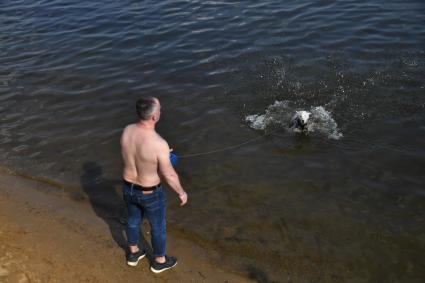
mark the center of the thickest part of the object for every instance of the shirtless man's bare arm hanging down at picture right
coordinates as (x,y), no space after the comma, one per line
(169,174)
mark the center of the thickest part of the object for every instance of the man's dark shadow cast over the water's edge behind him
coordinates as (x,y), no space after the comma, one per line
(108,204)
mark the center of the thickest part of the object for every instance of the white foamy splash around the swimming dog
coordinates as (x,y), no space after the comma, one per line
(281,112)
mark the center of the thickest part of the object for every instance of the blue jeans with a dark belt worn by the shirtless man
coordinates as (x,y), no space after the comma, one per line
(153,207)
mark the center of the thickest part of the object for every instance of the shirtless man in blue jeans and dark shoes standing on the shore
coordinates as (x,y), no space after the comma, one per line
(146,159)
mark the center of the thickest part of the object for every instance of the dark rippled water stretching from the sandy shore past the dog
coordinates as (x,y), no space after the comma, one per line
(285,207)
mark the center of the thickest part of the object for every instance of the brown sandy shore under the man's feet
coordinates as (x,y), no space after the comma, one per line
(46,236)
